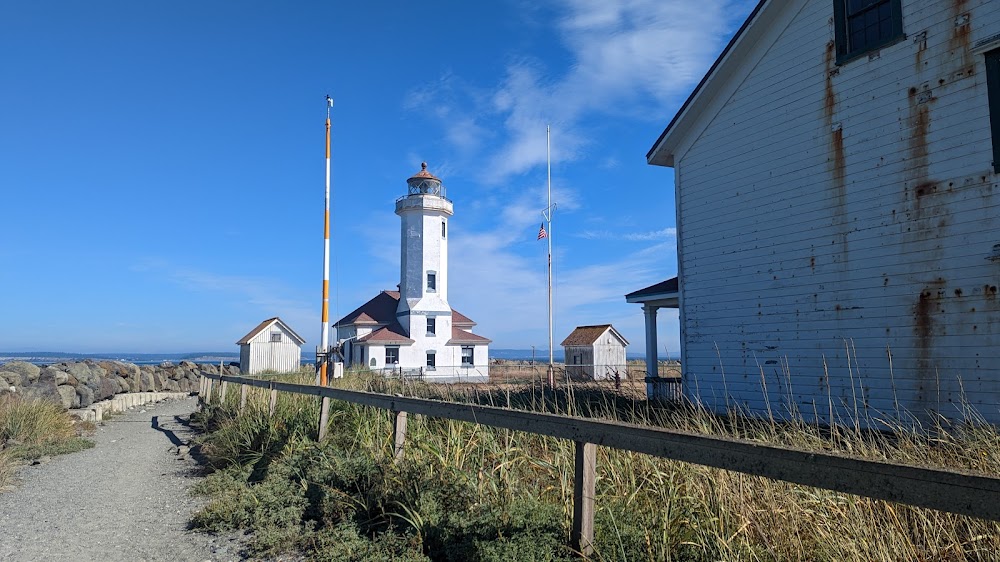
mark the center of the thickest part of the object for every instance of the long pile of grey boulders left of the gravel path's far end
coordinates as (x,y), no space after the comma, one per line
(80,384)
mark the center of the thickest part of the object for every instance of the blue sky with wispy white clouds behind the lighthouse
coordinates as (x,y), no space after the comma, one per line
(163,170)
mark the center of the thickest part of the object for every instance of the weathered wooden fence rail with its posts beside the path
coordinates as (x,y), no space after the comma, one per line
(935,488)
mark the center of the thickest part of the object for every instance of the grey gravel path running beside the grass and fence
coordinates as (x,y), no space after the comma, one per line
(124,500)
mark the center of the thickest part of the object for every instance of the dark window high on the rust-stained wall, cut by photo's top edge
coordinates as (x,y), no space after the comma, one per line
(863,26)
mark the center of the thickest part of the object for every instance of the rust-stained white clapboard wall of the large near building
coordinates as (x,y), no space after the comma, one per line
(827,214)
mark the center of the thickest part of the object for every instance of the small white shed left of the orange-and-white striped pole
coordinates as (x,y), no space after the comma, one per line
(271,346)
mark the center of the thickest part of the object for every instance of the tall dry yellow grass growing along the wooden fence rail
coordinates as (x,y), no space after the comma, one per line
(656,509)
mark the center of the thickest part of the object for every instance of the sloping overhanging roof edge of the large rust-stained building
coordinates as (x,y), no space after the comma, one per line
(762,14)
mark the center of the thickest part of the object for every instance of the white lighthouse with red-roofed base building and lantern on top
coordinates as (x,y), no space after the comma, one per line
(414,331)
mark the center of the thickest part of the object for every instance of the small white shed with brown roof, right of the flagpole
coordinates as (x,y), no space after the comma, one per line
(597,352)
